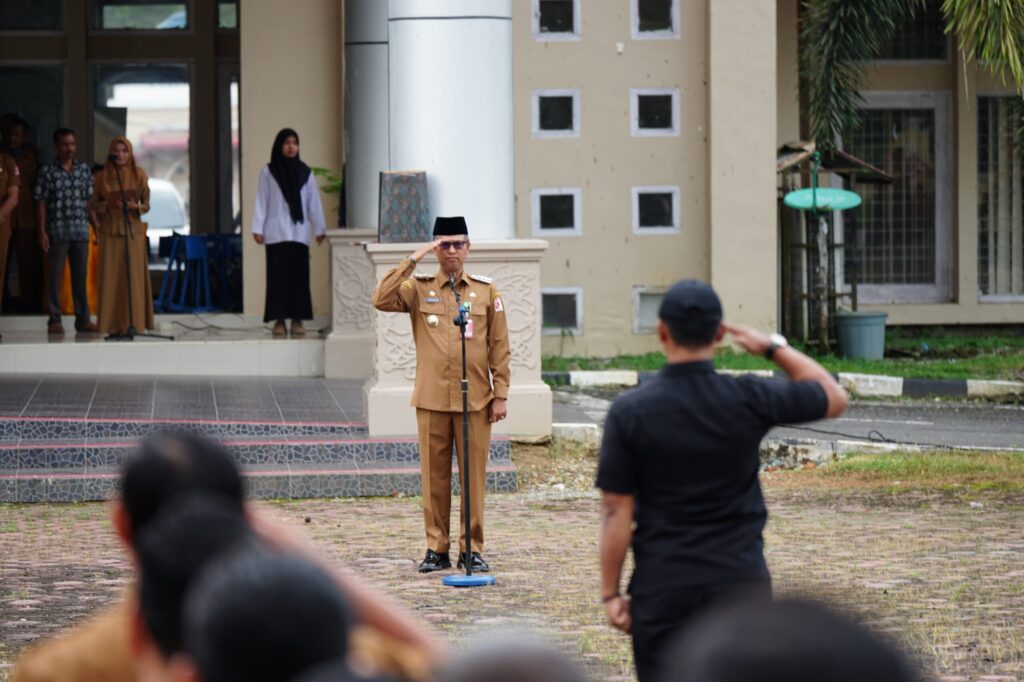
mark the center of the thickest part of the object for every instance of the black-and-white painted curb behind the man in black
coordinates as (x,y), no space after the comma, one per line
(863,386)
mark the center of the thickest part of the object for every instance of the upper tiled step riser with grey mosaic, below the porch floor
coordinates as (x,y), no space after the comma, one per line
(53,430)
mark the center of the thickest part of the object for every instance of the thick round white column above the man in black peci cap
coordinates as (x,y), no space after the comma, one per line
(450,108)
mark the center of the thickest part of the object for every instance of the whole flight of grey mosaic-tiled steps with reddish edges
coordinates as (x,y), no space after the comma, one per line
(45,459)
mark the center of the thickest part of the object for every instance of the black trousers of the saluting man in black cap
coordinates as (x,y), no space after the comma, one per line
(658,619)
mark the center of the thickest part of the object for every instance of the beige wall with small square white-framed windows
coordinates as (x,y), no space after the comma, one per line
(609,261)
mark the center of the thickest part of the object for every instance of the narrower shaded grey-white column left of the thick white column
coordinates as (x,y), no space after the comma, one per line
(366,109)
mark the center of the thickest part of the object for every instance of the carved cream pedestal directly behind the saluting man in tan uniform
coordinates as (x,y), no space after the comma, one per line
(516,269)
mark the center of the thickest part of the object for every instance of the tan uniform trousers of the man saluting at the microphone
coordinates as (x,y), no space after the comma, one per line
(439,431)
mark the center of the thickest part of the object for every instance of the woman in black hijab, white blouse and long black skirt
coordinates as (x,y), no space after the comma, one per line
(288,212)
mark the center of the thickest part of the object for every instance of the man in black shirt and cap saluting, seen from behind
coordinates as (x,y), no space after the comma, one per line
(680,458)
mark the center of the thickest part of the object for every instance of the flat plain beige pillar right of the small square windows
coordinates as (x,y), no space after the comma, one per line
(743,204)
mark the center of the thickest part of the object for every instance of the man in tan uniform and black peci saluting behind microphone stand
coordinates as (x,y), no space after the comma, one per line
(438,398)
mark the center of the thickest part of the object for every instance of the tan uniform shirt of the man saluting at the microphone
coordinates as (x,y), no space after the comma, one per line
(430,302)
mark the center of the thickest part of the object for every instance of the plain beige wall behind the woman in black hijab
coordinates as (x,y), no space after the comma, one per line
(298,87)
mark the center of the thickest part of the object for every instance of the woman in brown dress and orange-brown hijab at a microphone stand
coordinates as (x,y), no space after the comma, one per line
(114,241)
